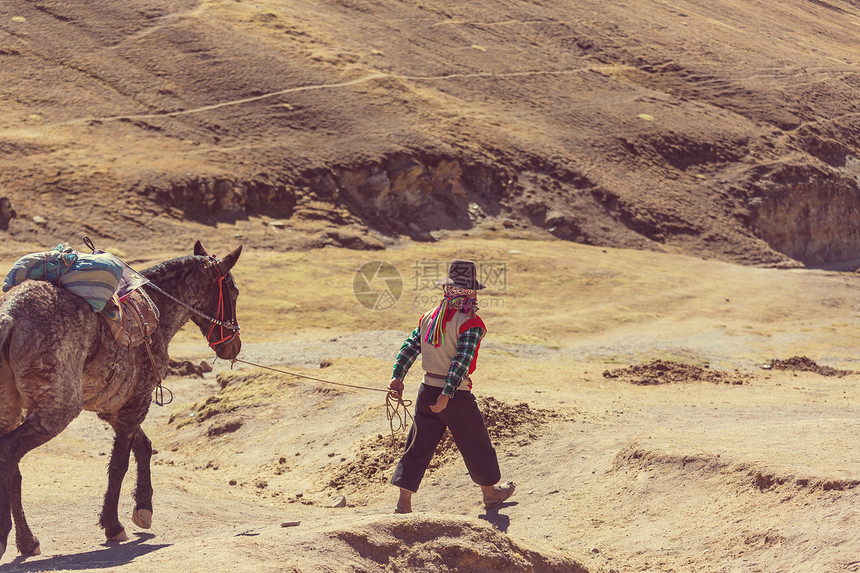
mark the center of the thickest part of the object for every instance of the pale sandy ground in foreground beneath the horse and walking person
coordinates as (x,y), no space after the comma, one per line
(612,475)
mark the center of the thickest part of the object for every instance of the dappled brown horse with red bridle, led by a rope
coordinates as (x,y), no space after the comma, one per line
(58,357)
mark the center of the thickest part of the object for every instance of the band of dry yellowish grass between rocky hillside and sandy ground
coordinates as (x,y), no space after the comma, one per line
(558,294)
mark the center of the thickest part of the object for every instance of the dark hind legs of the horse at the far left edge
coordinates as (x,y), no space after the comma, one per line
(33,432)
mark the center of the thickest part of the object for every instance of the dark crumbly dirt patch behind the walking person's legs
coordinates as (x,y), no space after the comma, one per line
(376,458)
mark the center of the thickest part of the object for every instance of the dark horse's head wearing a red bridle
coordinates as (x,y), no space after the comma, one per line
(223,335)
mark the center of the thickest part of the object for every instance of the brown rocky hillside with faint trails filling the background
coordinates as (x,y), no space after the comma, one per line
(725,129)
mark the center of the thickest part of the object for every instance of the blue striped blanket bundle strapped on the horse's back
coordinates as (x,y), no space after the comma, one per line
(94,278)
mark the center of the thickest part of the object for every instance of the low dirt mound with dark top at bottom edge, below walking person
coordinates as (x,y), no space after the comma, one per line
(441,543)
